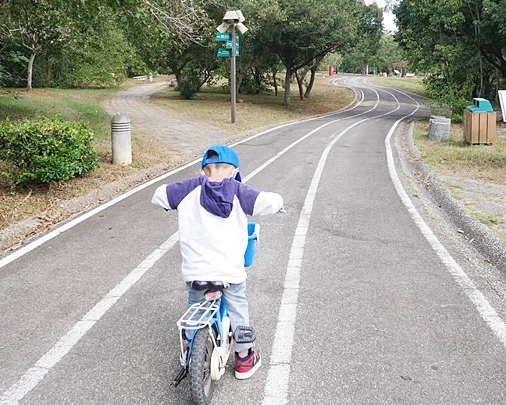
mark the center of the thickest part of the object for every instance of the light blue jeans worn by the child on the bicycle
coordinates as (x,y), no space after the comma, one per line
(237,307)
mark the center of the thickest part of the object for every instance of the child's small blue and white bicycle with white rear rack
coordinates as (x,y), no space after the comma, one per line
(206,347)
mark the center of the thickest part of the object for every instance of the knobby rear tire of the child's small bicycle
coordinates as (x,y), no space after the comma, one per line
(201,384)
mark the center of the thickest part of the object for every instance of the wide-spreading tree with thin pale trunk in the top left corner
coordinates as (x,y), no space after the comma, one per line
(71,35)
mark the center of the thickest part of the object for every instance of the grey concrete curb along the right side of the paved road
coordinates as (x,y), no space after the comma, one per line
(491,247)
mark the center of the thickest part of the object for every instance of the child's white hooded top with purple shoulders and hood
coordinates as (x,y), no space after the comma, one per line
(213,224)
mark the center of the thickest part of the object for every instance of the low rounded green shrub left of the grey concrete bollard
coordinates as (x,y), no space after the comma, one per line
(47,150)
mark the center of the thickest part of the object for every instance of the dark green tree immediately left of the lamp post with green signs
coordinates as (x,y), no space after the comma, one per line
(176,38)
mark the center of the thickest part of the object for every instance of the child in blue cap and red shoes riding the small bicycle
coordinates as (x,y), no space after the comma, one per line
(212,216)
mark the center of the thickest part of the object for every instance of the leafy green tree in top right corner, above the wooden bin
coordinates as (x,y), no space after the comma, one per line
(458,37)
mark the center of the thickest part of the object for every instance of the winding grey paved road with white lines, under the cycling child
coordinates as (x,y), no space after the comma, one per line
(361,294)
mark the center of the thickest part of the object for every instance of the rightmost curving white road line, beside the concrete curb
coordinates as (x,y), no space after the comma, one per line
(486,311)
